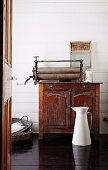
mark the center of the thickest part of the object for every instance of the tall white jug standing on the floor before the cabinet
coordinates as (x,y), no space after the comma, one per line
(81,134)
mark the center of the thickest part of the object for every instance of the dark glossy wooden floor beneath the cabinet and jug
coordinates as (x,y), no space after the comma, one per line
(56,152)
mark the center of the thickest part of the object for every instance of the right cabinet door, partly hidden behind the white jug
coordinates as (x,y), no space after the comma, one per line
(87,99)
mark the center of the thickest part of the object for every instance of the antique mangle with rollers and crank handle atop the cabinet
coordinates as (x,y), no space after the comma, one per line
(57,73)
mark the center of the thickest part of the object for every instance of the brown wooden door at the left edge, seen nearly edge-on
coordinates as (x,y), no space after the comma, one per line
(5,76)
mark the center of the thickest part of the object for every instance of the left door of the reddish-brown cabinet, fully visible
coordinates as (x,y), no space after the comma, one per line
(56,109)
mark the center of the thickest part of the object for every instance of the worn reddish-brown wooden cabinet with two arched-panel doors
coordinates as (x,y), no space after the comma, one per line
(56,100)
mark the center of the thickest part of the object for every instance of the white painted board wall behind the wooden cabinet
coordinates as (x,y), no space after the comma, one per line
(45,28)
